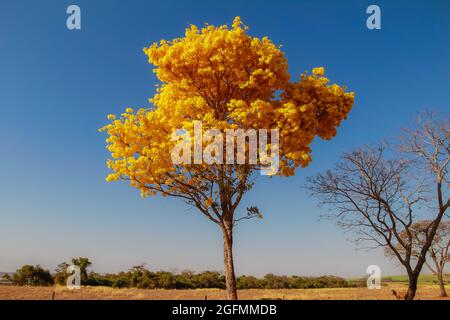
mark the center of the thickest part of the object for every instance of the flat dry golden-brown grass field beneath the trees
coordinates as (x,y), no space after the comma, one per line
(425,292)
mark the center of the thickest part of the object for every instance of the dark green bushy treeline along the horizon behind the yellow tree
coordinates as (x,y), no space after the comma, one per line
(140,277)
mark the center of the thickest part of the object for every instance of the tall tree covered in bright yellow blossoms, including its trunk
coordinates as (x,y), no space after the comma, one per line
(226,79)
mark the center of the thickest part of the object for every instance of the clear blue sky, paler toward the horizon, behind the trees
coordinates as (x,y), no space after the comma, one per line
(57,86)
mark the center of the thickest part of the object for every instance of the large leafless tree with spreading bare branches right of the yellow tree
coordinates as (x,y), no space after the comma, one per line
(378,193)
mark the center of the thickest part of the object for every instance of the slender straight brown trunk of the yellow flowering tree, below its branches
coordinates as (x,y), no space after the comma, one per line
(230,277)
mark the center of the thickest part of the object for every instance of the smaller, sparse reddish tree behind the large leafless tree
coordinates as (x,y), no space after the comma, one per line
(438,253)
